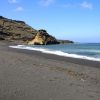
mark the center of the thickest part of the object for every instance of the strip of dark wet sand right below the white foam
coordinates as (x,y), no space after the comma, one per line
(80,61)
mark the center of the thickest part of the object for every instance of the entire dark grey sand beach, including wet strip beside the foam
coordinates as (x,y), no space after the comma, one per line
(31,75)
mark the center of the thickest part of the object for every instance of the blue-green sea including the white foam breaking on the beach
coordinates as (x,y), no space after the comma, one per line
(89,51)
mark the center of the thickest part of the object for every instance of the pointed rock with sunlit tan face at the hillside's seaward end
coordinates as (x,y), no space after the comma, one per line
(43,38)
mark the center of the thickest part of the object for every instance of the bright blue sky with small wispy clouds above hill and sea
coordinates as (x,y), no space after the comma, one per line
(76,20)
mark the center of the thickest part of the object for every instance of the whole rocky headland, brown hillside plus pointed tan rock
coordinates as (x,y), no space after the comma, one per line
(19,31)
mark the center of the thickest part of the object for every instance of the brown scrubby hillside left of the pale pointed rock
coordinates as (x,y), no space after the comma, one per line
(15,30)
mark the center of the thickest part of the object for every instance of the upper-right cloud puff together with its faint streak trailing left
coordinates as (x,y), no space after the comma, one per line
(84,4)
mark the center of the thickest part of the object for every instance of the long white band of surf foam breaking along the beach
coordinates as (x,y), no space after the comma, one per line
(59,53)
